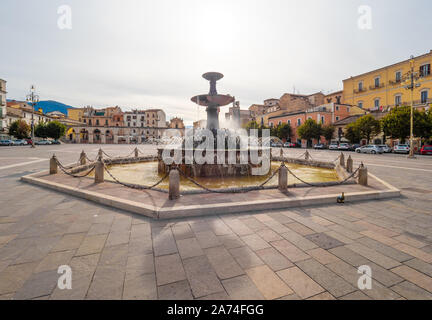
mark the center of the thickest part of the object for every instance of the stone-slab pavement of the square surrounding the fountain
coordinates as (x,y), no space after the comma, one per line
(307,253)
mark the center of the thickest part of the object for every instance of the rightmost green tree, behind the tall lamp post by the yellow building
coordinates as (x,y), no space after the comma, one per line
(397,123)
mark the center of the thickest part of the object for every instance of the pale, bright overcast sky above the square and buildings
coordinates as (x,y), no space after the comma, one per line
(152,53)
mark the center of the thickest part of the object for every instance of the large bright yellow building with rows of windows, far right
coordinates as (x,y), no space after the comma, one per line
(384,88)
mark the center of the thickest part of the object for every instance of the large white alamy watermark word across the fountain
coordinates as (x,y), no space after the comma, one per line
(222,147)
